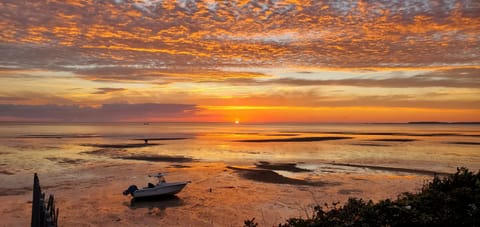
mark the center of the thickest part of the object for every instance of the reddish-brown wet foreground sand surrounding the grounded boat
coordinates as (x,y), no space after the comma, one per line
(217,196)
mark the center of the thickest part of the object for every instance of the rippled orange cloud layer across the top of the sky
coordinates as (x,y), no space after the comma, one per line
(302,33)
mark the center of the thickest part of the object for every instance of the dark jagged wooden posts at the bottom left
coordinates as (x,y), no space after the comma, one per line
(43,215)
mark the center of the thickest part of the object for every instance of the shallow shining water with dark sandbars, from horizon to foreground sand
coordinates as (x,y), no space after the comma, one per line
(324,148)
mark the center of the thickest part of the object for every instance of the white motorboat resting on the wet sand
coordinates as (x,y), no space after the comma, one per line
(162,188)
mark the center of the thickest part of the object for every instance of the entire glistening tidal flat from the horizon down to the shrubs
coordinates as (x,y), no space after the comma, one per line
(269,173)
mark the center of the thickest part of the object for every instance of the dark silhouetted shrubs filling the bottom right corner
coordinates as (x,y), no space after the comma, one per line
(453,200)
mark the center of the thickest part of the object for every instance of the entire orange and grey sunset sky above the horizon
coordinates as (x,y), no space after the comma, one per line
(252,61)
